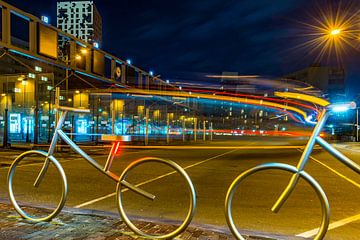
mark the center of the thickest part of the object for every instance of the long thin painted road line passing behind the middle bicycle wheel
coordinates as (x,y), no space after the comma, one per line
(149,181)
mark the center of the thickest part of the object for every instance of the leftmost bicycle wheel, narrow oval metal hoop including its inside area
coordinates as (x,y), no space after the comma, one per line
(49,193)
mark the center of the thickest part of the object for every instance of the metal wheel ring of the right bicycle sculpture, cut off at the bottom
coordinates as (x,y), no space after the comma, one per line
(282,167)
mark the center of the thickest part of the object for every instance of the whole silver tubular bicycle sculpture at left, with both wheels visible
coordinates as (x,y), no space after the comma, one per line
(121,181)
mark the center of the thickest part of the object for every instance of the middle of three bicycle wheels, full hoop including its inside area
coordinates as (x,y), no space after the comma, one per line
(163,190)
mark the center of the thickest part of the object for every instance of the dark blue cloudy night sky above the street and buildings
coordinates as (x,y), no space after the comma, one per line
(185,40)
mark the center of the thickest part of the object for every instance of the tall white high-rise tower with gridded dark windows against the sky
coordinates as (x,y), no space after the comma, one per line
(81,19)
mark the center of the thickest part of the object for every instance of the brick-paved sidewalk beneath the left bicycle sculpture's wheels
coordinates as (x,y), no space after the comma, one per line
(88,224)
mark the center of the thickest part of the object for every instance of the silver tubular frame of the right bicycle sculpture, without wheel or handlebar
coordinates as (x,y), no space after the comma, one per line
(315,138)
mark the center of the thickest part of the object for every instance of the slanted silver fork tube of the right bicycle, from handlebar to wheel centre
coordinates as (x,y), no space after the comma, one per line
(302,162)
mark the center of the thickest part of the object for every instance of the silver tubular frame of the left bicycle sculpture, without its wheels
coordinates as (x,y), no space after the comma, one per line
(59,133)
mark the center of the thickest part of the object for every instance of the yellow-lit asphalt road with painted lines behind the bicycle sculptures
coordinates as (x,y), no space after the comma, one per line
(212,171)
